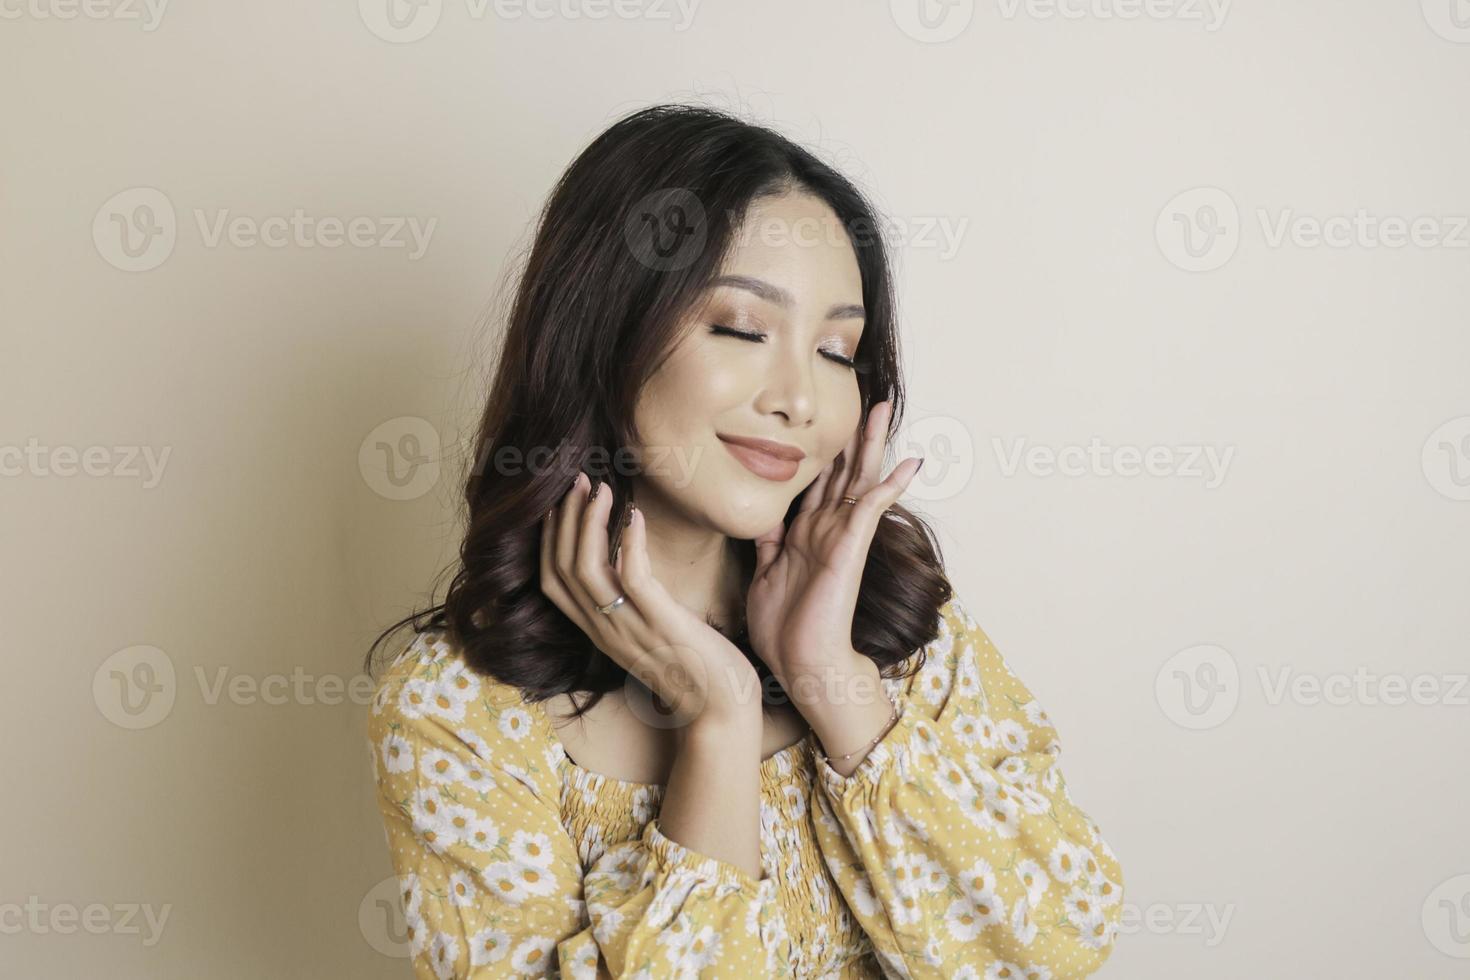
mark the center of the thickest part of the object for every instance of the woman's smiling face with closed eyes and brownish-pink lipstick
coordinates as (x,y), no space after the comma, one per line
(792,284)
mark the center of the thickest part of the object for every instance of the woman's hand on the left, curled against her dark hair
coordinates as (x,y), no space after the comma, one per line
(702,677)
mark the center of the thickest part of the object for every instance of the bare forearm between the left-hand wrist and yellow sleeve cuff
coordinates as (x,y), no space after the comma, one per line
(712,803)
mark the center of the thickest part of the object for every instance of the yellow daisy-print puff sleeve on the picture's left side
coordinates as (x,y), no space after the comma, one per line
(492,882)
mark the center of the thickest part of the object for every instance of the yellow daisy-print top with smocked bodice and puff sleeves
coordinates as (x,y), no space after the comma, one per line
(953,851)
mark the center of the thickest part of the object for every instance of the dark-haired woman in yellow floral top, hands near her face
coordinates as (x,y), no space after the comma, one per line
(799,754)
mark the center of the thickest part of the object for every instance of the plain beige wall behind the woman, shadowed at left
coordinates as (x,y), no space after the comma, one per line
(1106,226)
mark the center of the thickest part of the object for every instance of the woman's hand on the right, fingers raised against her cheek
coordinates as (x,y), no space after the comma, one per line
(799,609)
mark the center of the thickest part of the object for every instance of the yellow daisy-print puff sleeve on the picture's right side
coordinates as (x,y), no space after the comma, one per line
(956,841)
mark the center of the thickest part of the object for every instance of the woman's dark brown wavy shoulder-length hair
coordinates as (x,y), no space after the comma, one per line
(630,239)
